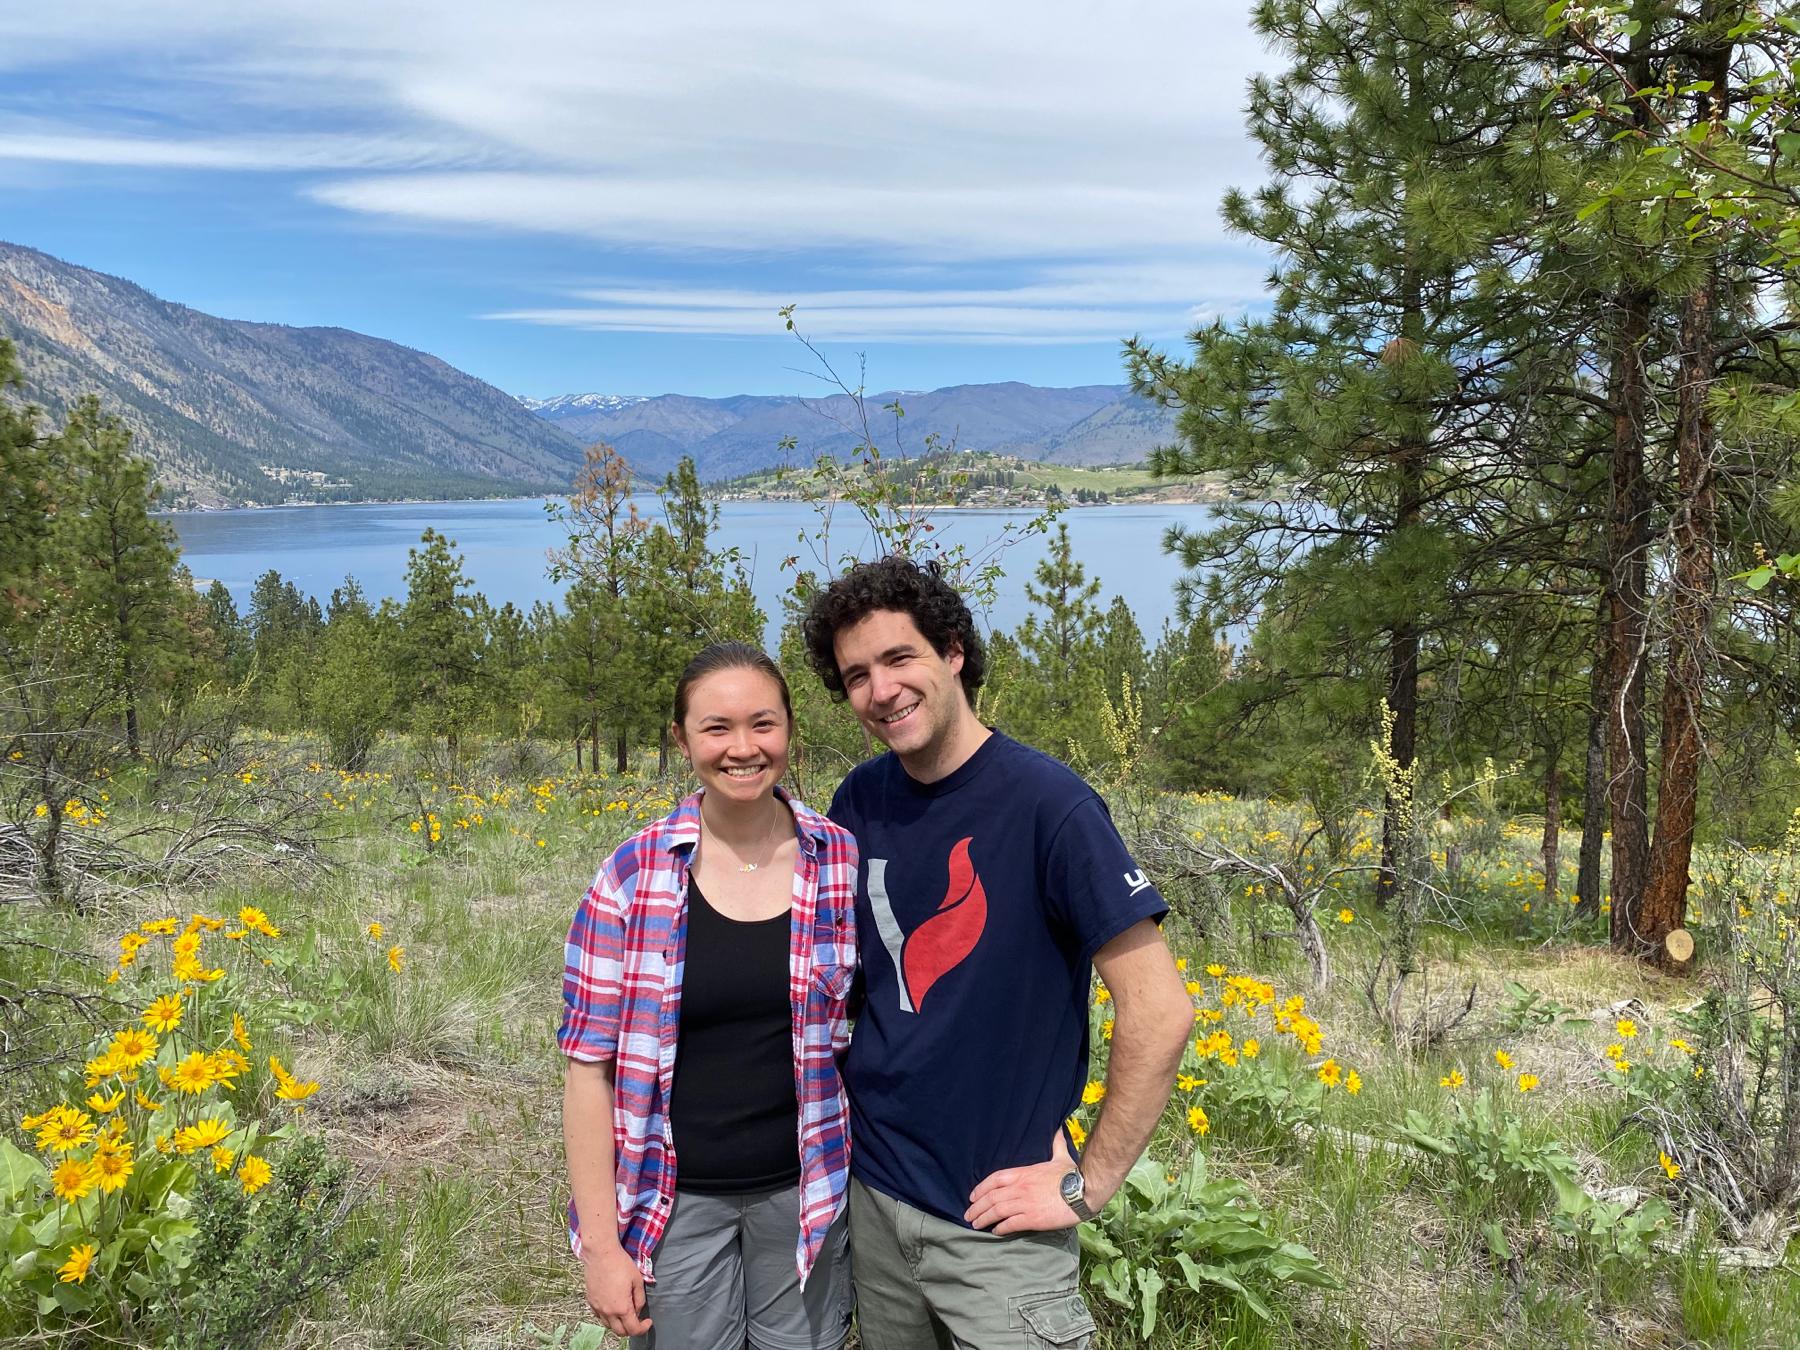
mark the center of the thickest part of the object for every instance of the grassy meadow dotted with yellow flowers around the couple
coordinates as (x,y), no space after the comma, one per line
(417,980)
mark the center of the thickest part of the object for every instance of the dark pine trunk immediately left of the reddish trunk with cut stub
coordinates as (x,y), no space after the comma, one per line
(1630,539)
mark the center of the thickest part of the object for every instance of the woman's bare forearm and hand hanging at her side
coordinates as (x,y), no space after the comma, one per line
(615,1284)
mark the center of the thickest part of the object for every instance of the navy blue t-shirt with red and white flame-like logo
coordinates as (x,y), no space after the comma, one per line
(982,901)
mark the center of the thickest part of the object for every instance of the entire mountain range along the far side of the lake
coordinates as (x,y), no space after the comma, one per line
(242,413)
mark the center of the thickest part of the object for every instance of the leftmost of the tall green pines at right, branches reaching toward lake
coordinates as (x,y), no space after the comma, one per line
(1362,420)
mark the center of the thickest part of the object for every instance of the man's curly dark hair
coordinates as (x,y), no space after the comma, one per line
(894,584)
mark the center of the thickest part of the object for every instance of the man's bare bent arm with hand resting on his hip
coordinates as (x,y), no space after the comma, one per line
(1151,1030)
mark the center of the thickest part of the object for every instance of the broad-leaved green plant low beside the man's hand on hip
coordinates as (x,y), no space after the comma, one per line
(1191,1239)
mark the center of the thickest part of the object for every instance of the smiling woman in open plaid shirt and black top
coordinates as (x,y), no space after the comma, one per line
(703,1020)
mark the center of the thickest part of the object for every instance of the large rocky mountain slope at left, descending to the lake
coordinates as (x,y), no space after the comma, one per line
(238,413)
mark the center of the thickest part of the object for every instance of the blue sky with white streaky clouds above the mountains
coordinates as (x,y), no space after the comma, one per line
(568,199)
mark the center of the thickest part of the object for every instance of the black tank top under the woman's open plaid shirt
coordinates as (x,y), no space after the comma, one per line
(733,1108)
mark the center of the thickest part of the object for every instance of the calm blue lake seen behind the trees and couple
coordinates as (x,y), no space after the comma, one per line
(505,548)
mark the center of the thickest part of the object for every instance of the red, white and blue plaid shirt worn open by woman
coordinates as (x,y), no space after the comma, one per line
(622,1003)
